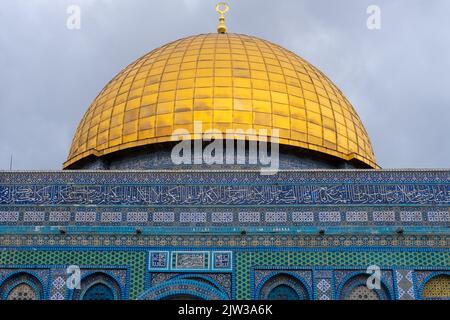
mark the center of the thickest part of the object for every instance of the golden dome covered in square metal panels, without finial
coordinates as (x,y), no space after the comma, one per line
(226,81)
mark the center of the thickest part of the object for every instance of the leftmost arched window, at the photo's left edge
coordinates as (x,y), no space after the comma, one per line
(21,286)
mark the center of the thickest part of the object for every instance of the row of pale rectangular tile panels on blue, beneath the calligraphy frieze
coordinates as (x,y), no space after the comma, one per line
(338,215)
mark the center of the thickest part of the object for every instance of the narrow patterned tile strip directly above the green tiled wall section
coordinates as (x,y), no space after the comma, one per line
(232,240)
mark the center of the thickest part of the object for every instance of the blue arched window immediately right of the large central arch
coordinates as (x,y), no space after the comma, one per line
(283,287)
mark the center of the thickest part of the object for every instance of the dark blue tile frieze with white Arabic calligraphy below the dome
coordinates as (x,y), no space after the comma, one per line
(338,193)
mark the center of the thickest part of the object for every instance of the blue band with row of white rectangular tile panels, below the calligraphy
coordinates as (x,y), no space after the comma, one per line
(426,216)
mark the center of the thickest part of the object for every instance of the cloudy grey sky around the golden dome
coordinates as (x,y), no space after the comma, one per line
(397,77)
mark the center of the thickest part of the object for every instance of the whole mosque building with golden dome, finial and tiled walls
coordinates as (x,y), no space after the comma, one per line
(123,221)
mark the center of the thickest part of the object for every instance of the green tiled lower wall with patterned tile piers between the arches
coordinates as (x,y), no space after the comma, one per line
(320,261)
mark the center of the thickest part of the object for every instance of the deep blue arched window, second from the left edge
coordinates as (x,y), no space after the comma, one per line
(98,286)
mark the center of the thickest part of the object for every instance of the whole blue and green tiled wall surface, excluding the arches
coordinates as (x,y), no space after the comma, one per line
(114,203)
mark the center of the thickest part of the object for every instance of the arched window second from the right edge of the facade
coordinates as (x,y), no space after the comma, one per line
(356,289)
